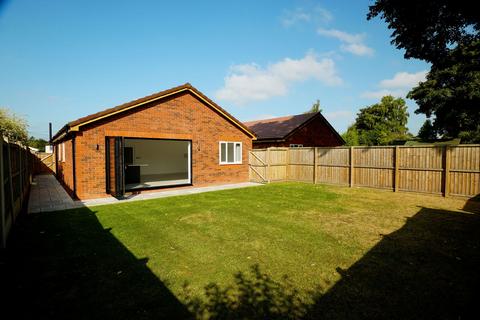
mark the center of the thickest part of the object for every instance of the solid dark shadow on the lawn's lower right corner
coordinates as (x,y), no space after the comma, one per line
(428,269)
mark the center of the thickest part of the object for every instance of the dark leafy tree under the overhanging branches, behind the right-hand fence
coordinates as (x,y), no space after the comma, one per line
(452,94)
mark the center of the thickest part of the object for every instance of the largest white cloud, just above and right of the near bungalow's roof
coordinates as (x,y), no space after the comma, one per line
(250,82)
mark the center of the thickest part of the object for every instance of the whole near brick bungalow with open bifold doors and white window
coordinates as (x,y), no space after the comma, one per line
(174,138)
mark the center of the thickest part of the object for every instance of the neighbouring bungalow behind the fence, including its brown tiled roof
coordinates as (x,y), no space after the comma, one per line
(301,130)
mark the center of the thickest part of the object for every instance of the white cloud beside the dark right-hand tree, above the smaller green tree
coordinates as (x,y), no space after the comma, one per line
(398,86)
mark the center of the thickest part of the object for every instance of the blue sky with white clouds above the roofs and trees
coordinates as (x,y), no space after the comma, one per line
(61,60)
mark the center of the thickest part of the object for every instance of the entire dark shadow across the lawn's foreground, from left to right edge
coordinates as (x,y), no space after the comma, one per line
(65,265)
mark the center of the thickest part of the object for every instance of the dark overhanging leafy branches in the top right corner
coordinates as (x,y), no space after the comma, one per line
(428,30)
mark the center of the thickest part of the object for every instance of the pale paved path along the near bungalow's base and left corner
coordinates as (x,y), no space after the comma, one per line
(48,195)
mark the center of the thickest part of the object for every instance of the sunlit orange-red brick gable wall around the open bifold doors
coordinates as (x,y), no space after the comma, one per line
(179,117)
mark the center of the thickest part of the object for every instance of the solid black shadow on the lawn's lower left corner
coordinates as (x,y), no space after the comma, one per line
(65,265)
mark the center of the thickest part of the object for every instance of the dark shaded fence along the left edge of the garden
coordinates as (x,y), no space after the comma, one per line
(17,164)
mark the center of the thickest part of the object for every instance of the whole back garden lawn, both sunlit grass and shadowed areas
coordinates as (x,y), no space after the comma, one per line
(347,253)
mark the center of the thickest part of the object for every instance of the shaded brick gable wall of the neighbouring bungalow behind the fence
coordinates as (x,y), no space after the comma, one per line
(315,133)
